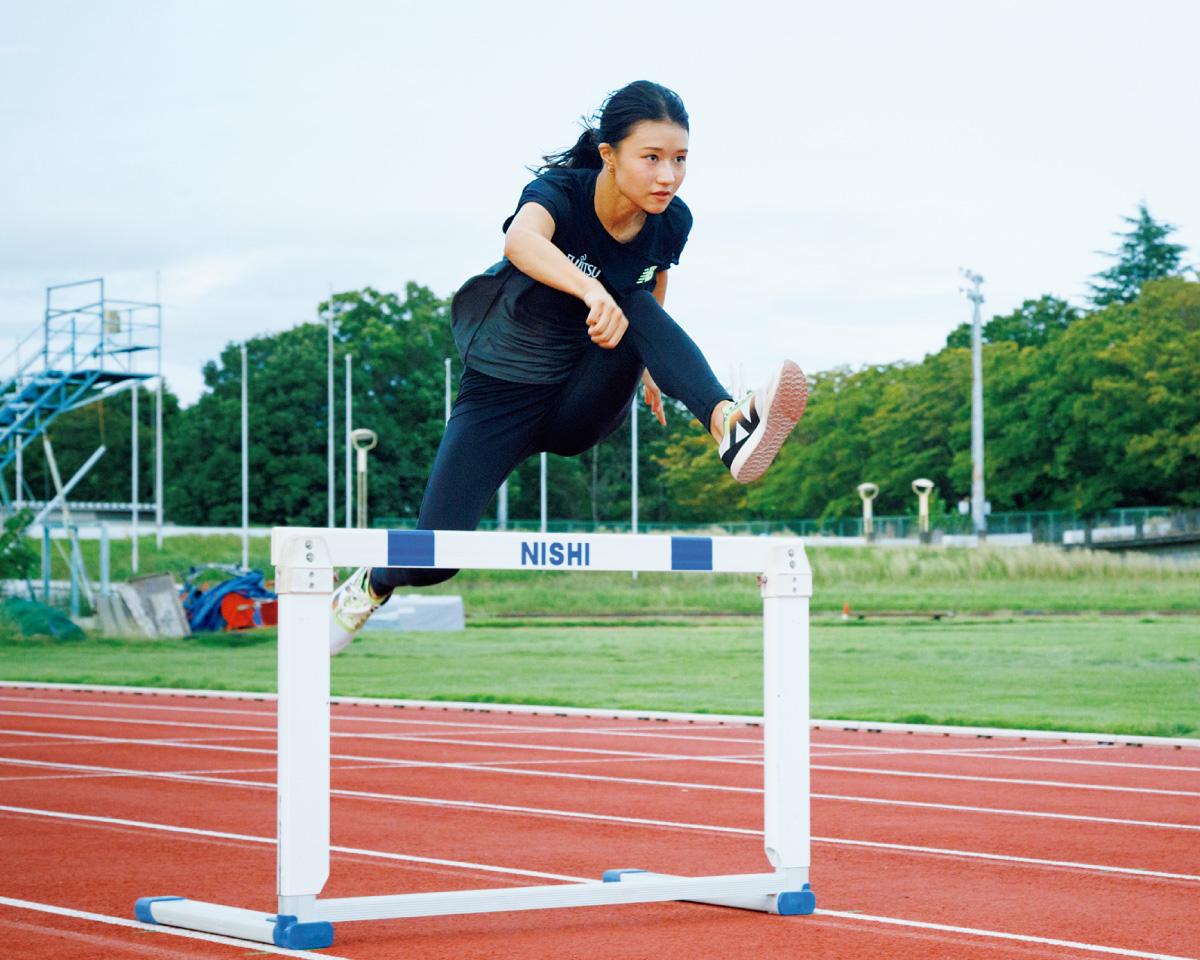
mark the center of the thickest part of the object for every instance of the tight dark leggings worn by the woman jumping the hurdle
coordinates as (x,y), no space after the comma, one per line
(496,424)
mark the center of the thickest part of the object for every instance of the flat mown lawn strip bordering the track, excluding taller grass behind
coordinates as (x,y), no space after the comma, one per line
(1119,675)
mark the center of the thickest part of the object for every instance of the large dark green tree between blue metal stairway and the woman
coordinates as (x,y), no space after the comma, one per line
(399,346)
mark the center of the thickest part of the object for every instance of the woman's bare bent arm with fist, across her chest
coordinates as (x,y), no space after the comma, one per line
(529,247)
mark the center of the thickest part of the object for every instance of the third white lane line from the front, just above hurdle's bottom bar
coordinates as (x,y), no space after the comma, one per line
(608,818)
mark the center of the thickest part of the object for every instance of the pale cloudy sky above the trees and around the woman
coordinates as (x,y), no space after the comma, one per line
(847,159)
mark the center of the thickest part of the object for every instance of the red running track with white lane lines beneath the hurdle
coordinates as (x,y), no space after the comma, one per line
(923,845)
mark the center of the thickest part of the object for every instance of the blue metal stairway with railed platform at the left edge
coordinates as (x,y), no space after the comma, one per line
(85,350)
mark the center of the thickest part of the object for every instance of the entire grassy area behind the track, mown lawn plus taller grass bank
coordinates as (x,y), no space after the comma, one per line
(1031,643)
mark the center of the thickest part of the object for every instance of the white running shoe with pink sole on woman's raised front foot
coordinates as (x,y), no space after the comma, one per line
(758,425)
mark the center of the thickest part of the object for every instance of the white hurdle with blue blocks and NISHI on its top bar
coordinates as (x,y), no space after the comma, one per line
(305,561)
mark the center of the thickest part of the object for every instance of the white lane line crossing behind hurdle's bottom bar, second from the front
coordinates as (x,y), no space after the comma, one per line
(488,868)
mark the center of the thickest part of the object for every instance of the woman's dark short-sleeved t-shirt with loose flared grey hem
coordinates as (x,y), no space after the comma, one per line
(542,341)
